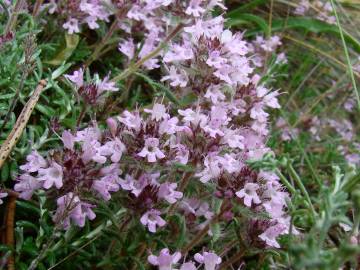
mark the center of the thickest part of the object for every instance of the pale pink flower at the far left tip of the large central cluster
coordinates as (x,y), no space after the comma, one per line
(26,185)
